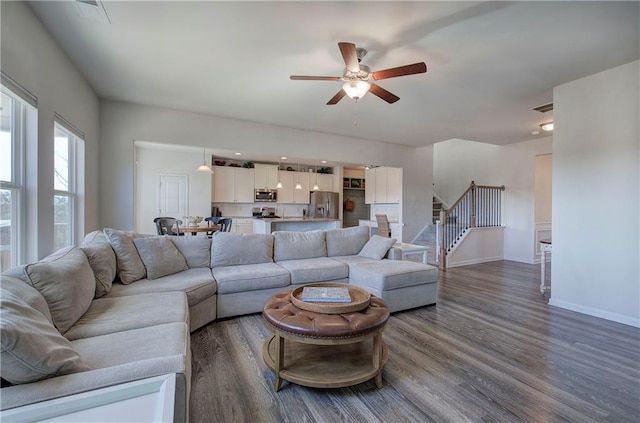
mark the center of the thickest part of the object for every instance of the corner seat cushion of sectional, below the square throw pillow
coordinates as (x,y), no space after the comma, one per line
(197,283)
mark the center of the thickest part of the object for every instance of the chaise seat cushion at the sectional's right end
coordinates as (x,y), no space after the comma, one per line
(385,275)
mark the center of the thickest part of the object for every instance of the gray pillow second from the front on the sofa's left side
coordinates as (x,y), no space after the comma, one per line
(66,282)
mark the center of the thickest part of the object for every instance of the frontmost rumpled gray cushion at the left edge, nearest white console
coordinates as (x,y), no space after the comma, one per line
(32,349)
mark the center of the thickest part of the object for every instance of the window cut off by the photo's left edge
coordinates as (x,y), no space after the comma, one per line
(12,130)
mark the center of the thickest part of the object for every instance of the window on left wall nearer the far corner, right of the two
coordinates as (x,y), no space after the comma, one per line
(68,177)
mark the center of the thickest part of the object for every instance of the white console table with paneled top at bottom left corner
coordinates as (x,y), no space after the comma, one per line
(146,400)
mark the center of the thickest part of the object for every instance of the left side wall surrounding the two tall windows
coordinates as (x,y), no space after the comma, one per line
(35,61)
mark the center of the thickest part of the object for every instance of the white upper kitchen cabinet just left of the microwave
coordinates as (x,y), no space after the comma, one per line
(233,185)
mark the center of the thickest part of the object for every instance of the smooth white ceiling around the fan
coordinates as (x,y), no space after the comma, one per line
(488,63)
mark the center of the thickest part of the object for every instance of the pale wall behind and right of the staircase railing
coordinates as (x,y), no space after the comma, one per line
(458,162)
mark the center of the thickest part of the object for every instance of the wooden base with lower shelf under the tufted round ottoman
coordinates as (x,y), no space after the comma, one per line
(321,364)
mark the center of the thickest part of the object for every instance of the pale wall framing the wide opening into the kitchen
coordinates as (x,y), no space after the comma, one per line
(122,123)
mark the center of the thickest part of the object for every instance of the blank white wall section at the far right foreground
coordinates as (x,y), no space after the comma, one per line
(596,195)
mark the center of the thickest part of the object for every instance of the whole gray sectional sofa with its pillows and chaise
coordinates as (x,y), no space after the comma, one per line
(121,306)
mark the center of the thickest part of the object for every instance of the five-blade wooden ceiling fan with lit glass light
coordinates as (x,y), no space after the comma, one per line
(359,79)
